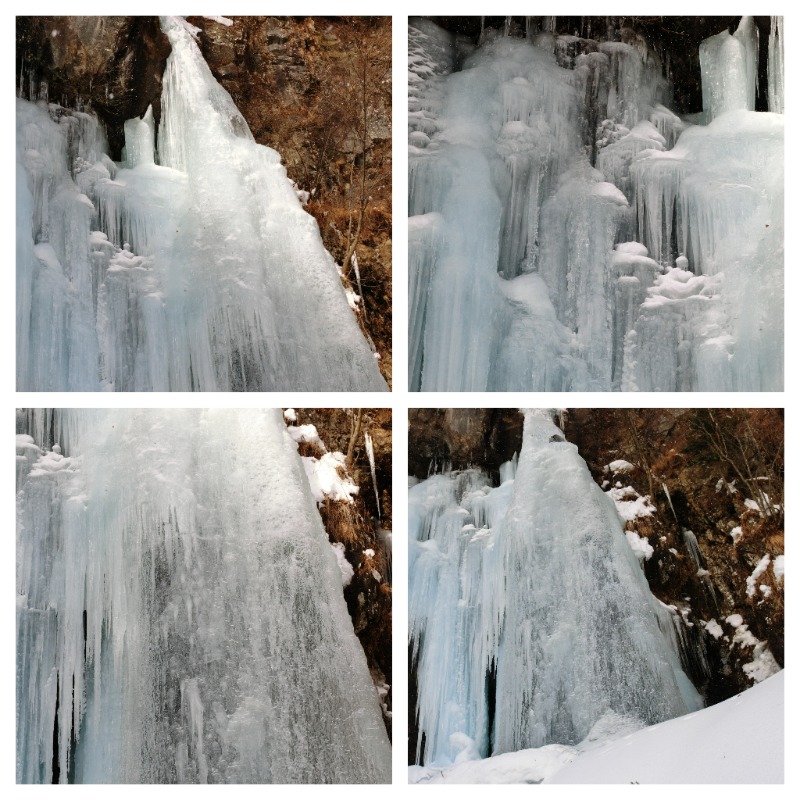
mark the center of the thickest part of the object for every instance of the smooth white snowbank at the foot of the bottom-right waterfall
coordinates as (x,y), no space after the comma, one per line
(739,741)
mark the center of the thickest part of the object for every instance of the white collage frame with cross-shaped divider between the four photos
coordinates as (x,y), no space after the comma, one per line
(400,400)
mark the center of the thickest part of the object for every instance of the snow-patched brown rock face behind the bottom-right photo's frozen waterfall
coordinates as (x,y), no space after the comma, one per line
(716,474)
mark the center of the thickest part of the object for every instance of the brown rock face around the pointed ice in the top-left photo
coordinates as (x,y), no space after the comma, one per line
(317,90)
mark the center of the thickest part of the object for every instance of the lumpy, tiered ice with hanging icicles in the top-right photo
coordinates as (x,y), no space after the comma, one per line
(569,232)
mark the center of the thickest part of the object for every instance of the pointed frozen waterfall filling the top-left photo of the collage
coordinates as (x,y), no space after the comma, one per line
(193,267)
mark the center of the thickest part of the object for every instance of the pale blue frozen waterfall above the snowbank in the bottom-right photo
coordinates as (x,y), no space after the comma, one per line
(529,616)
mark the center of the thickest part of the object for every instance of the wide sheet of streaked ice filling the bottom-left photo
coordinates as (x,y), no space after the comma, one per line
(179,609)
